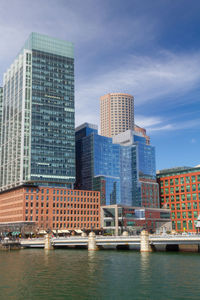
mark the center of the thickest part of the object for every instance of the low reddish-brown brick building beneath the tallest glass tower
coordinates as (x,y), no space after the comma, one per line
(50,208)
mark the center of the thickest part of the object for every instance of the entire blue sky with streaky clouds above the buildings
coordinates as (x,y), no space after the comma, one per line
(149,49)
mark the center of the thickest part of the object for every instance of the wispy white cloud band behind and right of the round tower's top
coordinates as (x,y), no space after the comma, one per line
(147,78)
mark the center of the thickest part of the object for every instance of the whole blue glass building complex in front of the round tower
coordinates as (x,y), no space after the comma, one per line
(122,168)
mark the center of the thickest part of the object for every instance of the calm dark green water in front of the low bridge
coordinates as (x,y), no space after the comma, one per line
(79,274)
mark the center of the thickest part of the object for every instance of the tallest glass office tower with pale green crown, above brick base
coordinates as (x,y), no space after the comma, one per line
(37,135)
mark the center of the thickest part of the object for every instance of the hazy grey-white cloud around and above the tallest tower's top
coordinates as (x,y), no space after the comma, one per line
(91,25)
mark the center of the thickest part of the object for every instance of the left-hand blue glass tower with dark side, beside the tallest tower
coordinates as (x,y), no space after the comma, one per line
(97,163)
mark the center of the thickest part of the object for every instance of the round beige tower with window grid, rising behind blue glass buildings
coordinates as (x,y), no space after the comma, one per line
(116,113)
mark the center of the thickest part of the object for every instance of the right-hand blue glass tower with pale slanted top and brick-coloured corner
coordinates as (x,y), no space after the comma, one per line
(138,170)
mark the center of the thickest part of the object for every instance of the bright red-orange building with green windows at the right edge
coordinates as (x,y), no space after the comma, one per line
(180,192)
